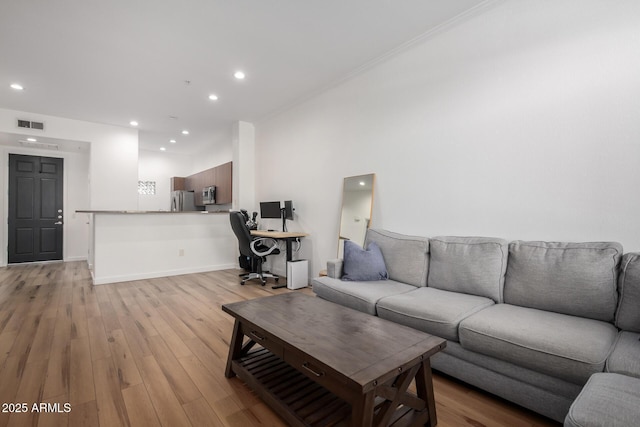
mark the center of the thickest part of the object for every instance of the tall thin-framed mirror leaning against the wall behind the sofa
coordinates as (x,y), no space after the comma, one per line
(357,205)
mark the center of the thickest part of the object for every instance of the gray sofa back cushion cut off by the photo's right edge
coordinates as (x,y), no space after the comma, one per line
(628,313)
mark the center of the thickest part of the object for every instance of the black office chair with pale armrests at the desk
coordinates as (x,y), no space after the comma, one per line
(254,248)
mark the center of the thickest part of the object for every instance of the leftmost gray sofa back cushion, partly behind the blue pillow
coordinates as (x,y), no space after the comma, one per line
(406,257)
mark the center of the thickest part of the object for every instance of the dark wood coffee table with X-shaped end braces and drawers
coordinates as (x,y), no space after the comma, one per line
(317,363)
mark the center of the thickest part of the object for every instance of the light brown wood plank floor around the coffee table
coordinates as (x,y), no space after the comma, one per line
(150,353)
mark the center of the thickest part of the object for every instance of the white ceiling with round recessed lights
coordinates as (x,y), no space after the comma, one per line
(118,60)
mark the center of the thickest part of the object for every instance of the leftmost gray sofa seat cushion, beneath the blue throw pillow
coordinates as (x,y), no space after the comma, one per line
(361,296)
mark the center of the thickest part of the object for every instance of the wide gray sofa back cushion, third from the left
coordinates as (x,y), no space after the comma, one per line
(570,278)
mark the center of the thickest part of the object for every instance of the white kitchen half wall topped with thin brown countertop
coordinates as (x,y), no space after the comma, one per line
(130,245)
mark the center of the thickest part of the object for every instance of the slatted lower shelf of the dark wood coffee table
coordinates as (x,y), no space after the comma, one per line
(298,399)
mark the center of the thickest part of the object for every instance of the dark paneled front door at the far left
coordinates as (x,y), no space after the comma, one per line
(35,208)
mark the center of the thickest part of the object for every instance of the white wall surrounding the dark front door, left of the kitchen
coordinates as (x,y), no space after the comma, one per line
(105,177)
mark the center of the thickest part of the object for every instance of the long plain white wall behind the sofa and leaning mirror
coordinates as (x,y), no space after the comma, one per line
(520,123)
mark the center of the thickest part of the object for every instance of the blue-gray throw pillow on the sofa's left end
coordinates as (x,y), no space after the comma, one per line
(363,265)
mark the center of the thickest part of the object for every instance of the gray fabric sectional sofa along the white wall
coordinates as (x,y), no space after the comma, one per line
(531,322)
